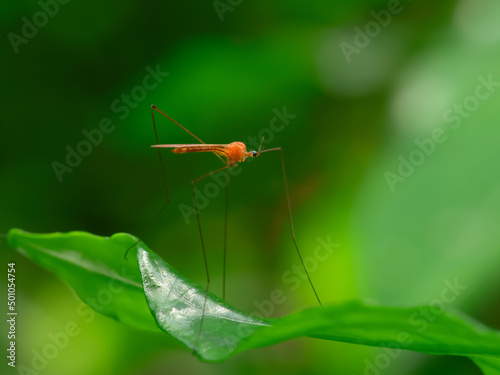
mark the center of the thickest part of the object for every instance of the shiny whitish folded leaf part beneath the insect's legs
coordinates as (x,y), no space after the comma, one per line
(177,305)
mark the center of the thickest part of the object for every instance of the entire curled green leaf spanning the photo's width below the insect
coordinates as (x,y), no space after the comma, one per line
(89,263)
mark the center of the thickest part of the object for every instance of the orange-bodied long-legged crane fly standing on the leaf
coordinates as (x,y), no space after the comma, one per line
(230,154)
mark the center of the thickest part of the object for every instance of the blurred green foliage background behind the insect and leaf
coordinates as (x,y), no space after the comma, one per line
(366,85)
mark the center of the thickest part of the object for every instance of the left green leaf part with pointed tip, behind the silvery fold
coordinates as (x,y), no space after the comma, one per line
(95,268)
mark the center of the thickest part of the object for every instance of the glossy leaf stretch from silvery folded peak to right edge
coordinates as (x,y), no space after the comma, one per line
(177,305)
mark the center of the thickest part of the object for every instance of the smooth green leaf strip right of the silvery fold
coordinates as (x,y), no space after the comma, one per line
(450,333)
